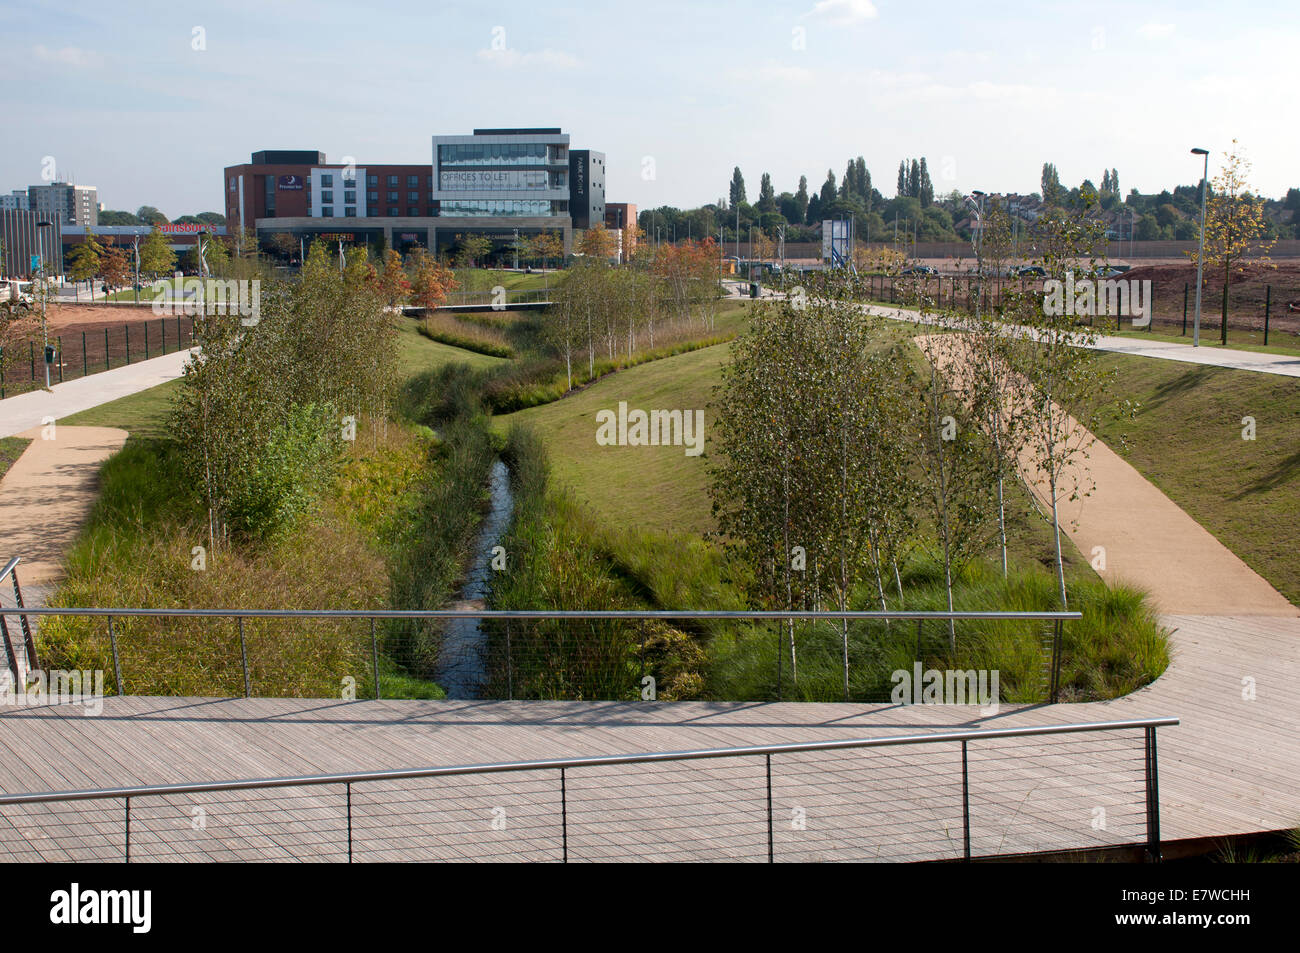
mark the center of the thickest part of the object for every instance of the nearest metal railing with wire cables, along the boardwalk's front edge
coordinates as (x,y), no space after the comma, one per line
(954,795)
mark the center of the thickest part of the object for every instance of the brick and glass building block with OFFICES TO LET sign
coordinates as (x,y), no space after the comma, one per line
(496,183)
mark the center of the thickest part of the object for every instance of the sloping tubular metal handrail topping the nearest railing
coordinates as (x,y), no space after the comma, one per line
(593,761)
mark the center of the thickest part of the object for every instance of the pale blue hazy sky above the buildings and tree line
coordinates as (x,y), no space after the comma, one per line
(150,101)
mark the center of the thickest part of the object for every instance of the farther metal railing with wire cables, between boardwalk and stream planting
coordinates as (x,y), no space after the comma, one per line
(513,655)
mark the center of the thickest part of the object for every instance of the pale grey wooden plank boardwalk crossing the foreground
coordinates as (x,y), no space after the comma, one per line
(1232,768)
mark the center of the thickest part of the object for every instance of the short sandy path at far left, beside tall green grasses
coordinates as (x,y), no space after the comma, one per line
(49,493)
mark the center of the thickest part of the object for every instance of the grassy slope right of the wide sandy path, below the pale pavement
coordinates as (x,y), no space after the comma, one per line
(1188,440)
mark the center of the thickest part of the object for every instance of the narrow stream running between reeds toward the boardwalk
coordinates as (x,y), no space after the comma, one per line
(461,668)
